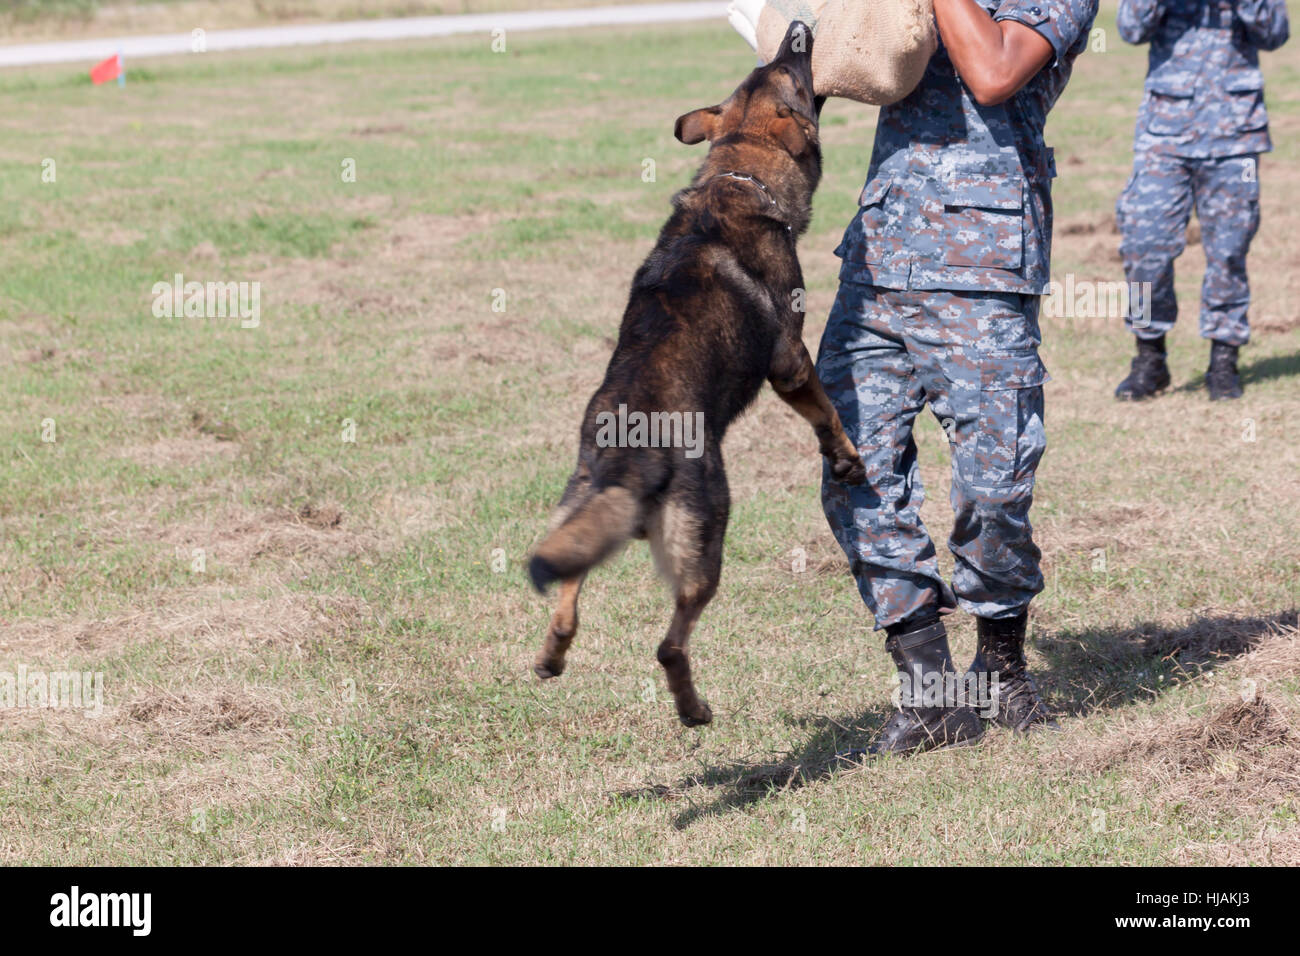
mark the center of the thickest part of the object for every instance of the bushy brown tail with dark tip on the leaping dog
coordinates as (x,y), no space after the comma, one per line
(595,531)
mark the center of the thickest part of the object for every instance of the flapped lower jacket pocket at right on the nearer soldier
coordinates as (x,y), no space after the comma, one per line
(983,222)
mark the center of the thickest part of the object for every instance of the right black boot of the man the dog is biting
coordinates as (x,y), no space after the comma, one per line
(1000,667)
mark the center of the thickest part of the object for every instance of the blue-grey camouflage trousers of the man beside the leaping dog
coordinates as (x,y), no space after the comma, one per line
(973,358)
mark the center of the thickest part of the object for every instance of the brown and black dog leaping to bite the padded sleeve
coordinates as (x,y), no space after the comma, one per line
(714,312)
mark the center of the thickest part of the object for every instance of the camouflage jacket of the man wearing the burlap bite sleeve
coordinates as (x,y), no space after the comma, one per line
(959,196)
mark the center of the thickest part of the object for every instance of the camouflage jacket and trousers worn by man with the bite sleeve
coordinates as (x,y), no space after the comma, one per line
(938,305)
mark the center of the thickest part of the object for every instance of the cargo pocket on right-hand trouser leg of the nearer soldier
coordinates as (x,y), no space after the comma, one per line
(1011,436)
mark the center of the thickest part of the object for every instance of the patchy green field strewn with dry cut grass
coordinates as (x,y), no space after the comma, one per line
(310,651)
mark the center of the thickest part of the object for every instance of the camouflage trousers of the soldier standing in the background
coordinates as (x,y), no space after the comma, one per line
(1154,211)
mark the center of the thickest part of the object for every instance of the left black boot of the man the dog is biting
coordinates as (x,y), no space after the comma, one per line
(925,667)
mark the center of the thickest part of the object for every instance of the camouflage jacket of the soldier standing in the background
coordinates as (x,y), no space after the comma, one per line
(1204,94)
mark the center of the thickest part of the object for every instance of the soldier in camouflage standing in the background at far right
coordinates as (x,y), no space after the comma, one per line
(1201,132)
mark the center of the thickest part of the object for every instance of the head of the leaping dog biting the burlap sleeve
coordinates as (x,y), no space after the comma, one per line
(769,127)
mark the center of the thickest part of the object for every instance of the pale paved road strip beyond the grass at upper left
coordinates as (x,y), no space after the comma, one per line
(410,28)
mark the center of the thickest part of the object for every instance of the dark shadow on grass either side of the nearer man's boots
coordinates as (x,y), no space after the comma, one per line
(1087,672)
